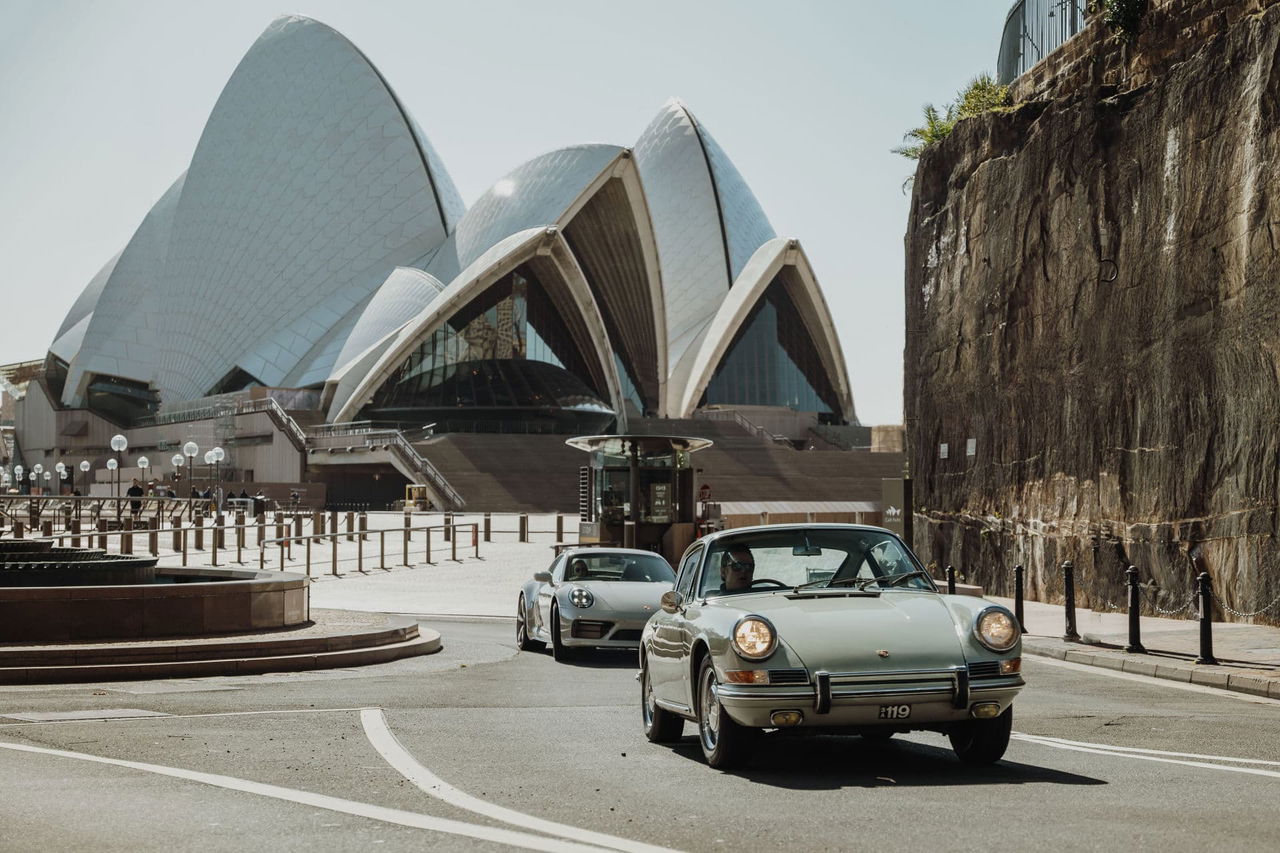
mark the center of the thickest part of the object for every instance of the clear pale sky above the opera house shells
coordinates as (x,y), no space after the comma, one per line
(102,104)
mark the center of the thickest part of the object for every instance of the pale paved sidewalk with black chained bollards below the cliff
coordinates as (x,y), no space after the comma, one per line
(1249,655)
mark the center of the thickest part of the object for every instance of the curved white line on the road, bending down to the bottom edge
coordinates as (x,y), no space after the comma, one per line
(390,749)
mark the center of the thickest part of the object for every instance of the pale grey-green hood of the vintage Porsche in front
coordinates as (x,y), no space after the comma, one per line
(849,635)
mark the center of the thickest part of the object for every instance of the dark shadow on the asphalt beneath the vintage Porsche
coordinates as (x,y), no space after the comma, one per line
(828,763)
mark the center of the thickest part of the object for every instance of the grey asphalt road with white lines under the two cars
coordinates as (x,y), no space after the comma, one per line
(481,749)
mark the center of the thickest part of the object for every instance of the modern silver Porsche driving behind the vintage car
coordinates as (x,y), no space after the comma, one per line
(592,599)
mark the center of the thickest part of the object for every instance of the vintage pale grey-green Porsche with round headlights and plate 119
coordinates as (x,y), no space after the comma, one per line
(824,627)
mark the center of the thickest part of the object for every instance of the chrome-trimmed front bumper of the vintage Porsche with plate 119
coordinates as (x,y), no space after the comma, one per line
(857,699)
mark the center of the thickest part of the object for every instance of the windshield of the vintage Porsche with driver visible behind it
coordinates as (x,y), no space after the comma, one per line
(813,558)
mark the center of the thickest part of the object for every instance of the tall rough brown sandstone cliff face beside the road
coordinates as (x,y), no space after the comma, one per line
(1092,297)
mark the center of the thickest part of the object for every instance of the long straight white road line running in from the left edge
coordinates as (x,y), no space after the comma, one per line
(331,804)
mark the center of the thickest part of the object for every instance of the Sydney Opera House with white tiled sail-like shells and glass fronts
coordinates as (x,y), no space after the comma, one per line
(317,264)
